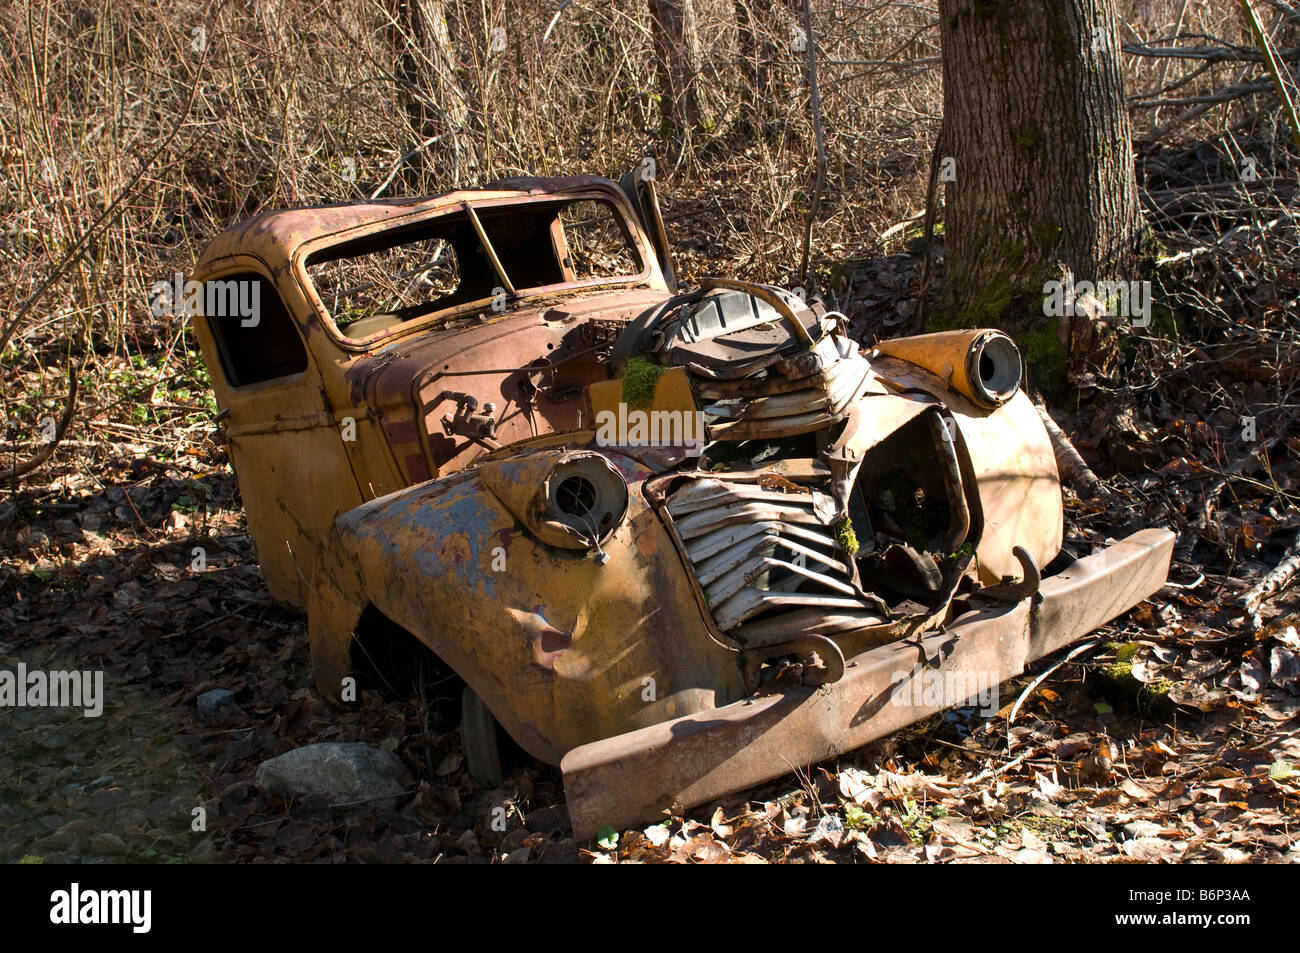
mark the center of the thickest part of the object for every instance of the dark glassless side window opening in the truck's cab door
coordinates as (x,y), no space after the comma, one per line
(257,339)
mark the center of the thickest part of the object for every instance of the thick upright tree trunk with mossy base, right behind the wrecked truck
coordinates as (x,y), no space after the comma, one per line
(1038,167)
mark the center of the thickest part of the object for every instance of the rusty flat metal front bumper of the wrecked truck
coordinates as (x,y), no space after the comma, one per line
(635,778)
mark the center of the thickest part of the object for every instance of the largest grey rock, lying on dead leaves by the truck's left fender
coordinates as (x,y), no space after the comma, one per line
(349,772)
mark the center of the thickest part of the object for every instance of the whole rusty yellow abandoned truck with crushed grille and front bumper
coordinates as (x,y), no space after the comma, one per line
(674,542)
